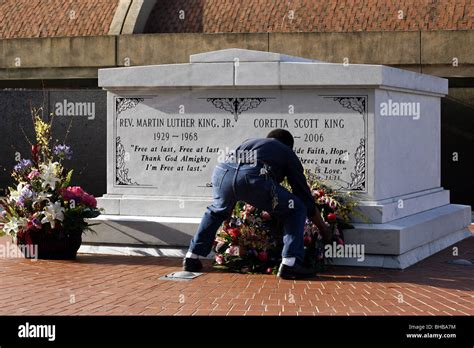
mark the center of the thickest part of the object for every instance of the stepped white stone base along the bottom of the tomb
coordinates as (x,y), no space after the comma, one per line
(396,244)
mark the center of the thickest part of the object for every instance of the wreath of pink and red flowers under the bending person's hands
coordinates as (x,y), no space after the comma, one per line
(251,240)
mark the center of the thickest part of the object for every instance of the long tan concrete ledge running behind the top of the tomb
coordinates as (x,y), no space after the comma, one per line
(400,49)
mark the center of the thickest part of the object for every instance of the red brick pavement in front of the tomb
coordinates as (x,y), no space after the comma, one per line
(121,285)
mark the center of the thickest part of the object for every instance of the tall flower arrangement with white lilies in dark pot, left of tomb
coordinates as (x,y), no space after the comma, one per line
(43,209)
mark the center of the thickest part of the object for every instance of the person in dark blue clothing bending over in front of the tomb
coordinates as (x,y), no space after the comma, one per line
(253,173)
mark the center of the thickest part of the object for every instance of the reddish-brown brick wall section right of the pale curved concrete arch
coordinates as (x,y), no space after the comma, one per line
(239,16)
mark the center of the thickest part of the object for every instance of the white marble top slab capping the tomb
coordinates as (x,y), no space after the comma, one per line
(262,74)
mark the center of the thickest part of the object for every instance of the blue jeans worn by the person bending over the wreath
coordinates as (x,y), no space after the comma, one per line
(232,182)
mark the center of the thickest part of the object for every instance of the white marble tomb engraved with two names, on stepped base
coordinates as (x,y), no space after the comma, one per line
(370,129)
